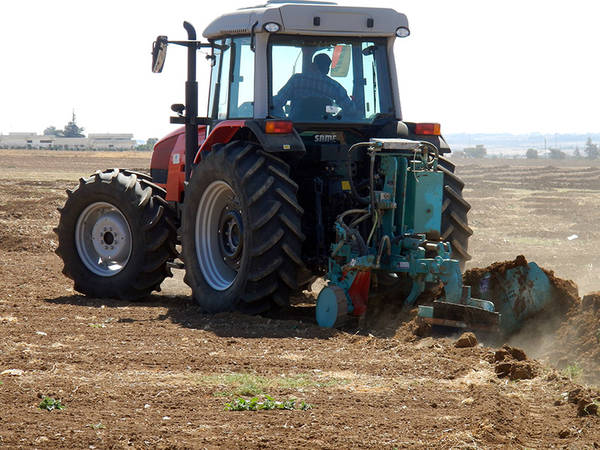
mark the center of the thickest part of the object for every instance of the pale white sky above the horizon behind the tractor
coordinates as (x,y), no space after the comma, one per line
(515,66)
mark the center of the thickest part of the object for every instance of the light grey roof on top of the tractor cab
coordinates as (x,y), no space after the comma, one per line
(309,18)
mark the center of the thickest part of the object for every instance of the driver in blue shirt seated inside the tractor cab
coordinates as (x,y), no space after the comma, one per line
(313,83)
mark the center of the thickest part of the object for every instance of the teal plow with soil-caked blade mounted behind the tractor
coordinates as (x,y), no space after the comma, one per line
(397,237)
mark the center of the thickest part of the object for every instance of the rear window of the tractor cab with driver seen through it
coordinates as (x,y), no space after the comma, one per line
(322,79)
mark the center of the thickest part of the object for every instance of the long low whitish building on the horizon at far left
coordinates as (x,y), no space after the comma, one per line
(98,141)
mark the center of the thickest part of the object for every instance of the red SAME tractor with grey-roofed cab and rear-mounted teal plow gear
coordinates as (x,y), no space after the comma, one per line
(303,167)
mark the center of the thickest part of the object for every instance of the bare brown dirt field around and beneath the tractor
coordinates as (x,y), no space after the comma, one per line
(157,373)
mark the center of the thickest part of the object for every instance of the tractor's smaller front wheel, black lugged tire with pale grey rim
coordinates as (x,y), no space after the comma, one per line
(116,234)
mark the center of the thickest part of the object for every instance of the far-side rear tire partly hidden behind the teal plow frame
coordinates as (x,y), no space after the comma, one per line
(455,225)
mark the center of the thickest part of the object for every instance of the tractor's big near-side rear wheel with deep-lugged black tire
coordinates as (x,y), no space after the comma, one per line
(241,230)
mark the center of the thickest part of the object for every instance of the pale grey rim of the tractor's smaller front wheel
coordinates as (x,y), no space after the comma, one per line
(103,239)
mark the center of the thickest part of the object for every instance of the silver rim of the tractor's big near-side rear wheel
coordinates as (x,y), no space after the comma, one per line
(219,235)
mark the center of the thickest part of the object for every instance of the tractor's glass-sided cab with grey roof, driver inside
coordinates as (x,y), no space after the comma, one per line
(298,61)
